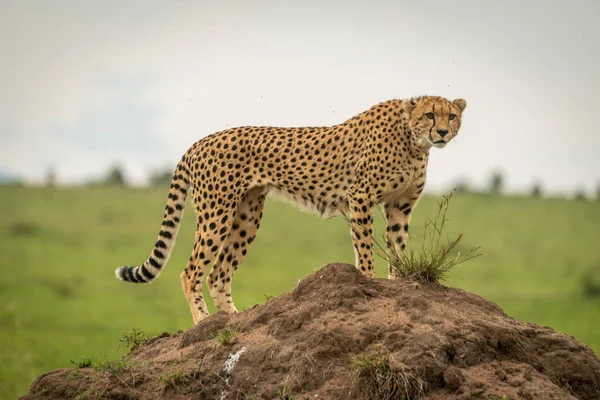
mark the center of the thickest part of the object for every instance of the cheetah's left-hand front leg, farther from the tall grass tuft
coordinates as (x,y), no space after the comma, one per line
(361,223)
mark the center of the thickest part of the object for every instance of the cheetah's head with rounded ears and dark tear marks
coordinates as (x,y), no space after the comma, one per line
(434,120)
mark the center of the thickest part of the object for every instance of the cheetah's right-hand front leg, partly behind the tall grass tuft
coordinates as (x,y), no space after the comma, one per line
(397,215)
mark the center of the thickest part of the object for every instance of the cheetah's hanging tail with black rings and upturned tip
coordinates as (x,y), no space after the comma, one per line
(168,232)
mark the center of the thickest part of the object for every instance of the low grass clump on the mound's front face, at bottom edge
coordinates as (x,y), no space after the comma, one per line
(382,382)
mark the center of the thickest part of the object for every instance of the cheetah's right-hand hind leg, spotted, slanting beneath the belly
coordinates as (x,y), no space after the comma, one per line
(234,249)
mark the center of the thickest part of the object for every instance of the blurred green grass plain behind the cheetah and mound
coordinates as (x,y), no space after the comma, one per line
(60,300)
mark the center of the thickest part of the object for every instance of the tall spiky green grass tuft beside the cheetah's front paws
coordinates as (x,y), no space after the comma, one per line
(435,257)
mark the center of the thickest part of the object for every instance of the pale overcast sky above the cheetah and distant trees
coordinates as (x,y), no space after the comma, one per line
(86,84)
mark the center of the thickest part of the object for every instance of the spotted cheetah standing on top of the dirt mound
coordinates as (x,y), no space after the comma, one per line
(376,157)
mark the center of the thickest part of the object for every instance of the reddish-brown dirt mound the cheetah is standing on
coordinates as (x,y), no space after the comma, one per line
(341,336)
